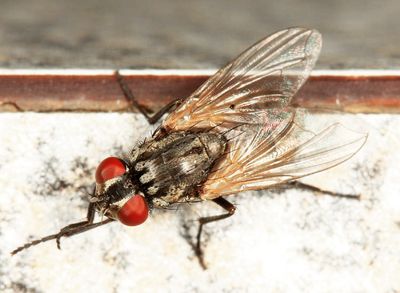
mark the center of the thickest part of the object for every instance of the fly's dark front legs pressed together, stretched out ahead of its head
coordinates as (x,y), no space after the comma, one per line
(69,230)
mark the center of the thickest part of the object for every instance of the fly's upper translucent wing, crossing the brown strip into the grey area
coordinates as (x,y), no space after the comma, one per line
(265,76)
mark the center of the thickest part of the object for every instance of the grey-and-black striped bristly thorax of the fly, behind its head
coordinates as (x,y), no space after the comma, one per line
(177,165)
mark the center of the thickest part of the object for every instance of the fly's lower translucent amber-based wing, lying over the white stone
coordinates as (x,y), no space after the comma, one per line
(262,158)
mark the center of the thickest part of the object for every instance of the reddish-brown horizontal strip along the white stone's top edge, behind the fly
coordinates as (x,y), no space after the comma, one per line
(101,93)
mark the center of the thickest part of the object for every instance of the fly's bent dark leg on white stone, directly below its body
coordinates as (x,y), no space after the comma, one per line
(226,205)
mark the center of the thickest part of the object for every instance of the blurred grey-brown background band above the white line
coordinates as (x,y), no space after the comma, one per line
(189,34)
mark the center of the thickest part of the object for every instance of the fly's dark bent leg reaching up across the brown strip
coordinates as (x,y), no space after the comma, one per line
(134,104)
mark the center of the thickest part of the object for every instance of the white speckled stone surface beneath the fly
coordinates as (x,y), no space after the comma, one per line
(279,241)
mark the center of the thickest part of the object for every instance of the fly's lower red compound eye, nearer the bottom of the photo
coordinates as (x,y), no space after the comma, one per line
(134,212)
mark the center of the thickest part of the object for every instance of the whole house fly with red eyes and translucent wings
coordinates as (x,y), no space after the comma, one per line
(236,132)
